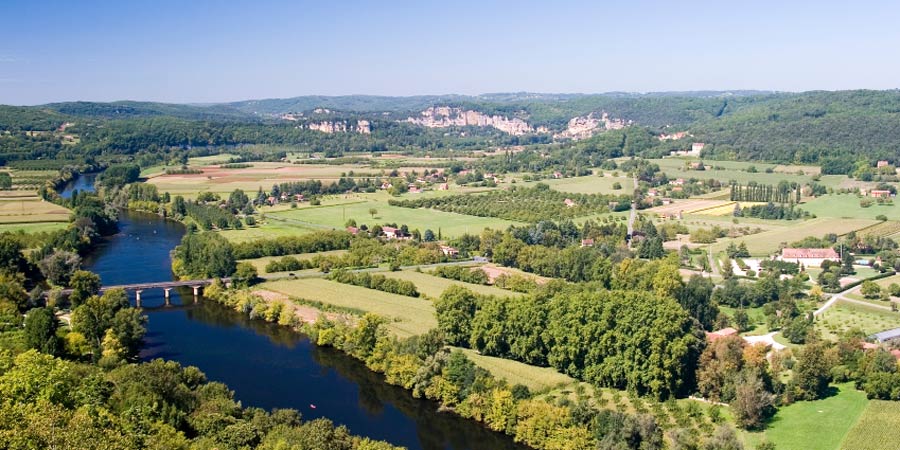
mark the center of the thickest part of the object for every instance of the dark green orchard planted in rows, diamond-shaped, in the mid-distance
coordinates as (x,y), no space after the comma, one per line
(523,204)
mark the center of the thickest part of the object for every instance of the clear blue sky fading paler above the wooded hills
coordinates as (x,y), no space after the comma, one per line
(203,51)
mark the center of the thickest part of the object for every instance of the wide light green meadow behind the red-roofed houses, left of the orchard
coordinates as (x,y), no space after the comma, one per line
(450,224)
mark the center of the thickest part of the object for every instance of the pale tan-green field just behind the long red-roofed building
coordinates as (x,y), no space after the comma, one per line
(769,242)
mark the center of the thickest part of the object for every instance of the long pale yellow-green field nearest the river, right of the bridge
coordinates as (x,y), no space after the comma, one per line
(408,316)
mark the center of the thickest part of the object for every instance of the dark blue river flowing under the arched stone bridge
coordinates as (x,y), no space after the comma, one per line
(270,366)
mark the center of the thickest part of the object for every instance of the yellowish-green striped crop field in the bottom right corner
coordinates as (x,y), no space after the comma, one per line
(876,429)
